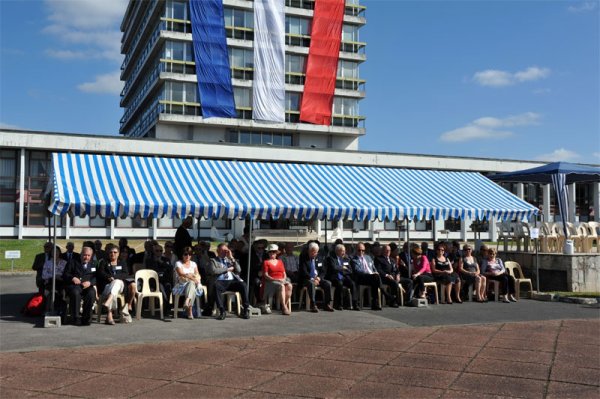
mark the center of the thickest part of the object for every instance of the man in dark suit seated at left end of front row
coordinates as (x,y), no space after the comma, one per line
(80,280)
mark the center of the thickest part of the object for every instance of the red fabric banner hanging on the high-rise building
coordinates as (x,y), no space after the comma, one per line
(321,66)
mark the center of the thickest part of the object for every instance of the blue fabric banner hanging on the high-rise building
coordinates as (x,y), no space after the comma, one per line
(212,60)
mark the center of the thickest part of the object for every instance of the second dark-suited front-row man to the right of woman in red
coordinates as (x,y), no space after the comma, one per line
(339,272)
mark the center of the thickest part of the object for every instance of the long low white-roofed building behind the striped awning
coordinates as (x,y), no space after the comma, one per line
(25,166)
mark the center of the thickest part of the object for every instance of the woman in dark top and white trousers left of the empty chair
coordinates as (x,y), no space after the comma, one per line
(112,279)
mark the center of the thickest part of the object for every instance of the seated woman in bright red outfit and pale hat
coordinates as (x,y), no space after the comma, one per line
(275,279)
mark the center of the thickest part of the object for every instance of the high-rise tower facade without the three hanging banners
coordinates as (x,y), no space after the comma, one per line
(161,97)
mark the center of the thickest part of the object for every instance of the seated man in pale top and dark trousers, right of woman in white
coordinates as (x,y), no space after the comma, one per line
(225,270)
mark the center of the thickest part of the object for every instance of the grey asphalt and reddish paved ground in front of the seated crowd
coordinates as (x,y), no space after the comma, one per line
(526,349)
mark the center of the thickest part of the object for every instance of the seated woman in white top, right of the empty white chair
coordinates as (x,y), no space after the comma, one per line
(188,281)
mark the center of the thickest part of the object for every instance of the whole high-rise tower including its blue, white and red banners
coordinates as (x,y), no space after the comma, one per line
(161,97)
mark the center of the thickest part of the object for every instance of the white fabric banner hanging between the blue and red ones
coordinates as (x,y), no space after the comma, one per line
(268,91)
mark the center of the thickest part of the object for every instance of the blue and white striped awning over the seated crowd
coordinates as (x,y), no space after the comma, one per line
(118,186)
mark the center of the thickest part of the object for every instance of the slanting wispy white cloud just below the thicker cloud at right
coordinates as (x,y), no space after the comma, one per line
(489,127)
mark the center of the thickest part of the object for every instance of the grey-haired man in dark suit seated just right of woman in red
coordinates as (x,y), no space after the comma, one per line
(311,274)
